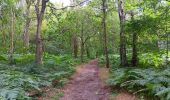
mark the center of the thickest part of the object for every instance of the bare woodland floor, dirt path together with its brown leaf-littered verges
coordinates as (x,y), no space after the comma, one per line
(87,84)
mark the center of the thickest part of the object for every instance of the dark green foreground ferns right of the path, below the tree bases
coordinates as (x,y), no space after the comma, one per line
(151,83)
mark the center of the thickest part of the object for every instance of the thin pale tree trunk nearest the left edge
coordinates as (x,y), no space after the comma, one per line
(11,38)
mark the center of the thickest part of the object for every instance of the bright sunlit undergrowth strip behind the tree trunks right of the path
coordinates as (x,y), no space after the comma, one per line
(146,60)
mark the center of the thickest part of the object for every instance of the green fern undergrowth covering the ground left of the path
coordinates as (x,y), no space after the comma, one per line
(17,81)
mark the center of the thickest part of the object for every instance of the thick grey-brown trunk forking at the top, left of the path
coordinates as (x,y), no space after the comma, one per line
(39,43)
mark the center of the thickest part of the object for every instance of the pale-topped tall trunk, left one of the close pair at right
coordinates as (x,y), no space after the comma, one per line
(123,57)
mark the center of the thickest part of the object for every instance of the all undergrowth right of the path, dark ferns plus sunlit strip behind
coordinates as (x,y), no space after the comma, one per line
(150,79)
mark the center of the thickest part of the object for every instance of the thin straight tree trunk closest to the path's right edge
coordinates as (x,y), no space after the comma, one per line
(105,32)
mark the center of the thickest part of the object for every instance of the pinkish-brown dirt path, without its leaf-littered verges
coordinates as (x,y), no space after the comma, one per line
(86,85)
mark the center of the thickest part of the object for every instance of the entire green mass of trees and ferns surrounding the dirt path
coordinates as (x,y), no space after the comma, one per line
(42,41)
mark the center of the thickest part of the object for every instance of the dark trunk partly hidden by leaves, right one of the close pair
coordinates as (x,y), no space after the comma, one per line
(134,60)
